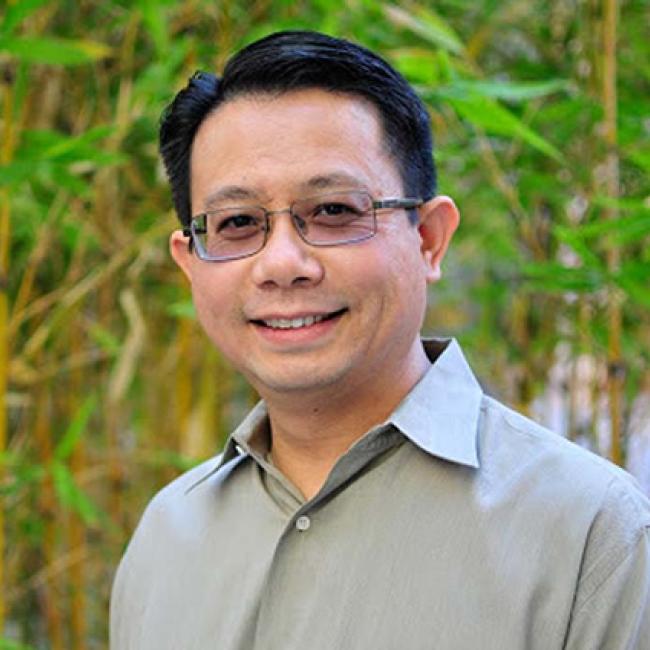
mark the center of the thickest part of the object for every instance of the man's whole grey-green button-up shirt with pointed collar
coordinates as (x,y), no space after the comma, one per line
(456,524)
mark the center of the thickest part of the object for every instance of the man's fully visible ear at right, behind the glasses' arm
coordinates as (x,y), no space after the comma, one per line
(439,219)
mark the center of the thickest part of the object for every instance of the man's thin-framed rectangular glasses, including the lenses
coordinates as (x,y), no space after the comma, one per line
(333,219)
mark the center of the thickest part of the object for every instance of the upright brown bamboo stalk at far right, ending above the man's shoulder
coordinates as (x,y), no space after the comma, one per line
(616,368)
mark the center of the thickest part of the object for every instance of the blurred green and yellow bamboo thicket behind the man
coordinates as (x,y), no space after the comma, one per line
(108,388)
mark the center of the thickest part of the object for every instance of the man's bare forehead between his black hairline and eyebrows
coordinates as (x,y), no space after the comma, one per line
(270,144)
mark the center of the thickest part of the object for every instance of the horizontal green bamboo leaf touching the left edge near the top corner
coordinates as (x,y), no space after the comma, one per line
(54,51)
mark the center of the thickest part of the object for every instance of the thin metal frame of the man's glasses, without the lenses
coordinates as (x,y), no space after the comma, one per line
(406,203)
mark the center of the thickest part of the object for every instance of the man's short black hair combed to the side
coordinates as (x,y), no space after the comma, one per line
(296,60)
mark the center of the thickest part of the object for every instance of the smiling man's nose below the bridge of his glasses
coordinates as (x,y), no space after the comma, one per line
(286,261)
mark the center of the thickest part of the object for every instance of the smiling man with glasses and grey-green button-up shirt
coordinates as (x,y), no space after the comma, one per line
(376,498)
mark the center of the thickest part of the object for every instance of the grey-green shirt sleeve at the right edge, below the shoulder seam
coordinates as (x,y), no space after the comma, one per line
(612,604)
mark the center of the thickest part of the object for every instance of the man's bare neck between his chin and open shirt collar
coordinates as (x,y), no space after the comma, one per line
(307,442)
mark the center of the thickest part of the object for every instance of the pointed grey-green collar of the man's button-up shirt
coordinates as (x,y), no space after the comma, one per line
(440,414)
